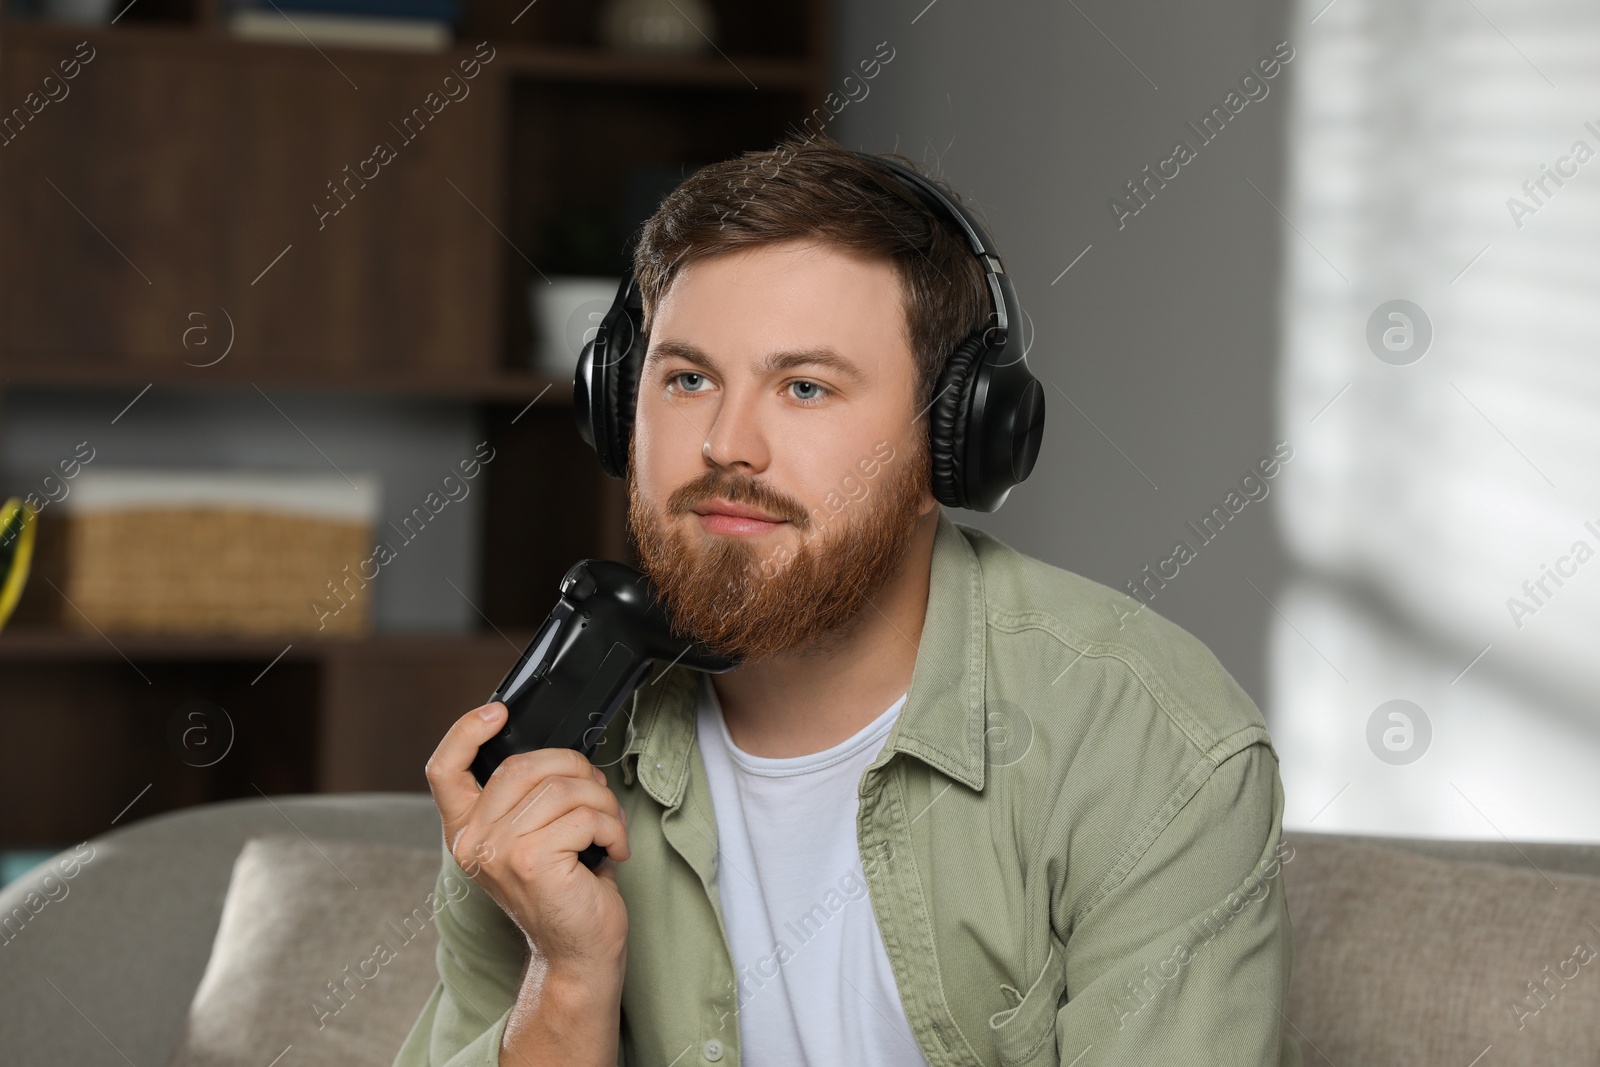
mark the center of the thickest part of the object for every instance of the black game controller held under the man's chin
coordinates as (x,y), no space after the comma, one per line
(588,658)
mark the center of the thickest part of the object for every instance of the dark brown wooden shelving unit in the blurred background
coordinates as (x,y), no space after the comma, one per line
(190,174)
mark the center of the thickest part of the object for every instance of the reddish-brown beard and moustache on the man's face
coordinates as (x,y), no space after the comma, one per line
(754,599)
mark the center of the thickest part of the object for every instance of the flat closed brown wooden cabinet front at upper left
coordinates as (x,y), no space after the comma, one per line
(190,174)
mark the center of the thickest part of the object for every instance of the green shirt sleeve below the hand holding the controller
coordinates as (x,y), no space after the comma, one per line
(481,959)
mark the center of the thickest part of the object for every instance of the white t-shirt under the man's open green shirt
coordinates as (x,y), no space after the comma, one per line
(815,986)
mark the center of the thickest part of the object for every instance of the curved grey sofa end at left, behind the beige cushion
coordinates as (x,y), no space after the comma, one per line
(132,940)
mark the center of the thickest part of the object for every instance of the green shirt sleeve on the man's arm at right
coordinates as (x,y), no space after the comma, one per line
(1186,957)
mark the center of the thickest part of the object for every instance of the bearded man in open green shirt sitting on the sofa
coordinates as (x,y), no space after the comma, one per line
(954,807)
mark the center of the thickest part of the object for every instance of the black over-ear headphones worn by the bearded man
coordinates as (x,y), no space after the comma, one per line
(988,412)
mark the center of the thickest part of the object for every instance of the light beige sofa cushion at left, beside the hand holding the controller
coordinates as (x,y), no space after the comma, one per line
(324,946)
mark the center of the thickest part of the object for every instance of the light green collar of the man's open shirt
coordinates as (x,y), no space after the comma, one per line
(943,719)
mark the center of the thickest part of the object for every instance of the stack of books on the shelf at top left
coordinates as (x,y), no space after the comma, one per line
(407,25)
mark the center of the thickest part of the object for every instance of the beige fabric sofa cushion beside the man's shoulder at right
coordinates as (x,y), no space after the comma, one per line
(1404,959)
